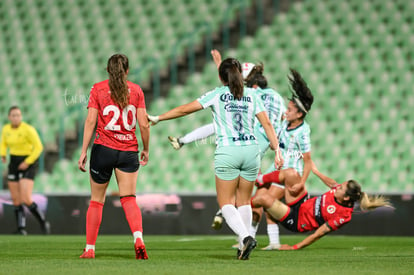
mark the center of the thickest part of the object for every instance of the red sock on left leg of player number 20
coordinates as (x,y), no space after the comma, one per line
(93,221)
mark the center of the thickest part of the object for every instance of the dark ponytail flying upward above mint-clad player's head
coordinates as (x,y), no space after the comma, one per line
(301,94)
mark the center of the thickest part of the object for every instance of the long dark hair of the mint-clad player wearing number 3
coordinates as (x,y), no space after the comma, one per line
(230,74)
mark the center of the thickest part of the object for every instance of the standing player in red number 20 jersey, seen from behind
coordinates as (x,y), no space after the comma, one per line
(115,106)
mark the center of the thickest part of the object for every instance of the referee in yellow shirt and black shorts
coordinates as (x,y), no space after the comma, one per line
(25,148)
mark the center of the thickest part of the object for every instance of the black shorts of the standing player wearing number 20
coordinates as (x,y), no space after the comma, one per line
(104,160)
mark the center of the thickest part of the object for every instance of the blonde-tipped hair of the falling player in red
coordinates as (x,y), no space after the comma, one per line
(354,192)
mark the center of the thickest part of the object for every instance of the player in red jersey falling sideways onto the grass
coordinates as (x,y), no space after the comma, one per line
(325,213)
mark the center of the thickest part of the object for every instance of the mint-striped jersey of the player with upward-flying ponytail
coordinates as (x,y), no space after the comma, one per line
(293,143)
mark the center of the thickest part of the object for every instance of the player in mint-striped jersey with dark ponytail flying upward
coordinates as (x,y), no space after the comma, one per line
(295,145)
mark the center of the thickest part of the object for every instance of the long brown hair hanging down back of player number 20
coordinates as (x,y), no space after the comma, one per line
(117,69)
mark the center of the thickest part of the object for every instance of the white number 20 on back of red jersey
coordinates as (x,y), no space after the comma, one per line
(112,126)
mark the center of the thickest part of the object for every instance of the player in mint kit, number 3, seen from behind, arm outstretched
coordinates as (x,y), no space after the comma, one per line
(237,159)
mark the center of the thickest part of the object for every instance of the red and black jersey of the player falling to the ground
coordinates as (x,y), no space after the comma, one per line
(323,209)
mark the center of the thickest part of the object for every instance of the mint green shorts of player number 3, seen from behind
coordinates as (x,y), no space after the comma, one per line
(233,161)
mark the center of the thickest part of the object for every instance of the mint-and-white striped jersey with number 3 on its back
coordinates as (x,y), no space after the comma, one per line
(234,120)
